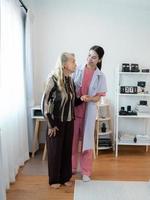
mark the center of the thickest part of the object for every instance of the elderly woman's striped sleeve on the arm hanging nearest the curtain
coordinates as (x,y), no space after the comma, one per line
(46,103)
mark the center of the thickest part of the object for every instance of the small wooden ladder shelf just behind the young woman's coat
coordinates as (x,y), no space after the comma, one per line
(103,138)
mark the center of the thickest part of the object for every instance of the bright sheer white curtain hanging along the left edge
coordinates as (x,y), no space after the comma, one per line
(13,115)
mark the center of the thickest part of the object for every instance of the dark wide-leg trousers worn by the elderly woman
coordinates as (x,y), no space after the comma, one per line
(59,153)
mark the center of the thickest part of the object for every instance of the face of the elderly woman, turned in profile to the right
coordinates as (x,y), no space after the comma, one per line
(70,64)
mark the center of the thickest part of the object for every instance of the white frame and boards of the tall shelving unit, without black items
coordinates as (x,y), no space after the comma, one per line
(132,129)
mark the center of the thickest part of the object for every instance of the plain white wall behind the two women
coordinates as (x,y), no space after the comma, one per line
(122,27)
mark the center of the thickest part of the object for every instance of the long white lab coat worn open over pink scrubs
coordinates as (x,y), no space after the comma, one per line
(97,85)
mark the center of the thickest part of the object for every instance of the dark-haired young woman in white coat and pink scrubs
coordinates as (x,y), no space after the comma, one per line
(89,81)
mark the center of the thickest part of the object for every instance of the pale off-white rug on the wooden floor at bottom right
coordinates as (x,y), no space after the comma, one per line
(112,190)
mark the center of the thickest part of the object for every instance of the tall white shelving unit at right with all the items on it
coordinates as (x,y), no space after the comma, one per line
(133,108)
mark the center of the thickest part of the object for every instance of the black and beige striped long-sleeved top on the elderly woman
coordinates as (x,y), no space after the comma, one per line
(59,105)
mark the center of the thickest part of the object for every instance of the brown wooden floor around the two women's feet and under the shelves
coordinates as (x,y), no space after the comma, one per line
(132,164)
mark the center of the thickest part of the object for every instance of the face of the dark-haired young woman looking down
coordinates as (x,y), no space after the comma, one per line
(92,58)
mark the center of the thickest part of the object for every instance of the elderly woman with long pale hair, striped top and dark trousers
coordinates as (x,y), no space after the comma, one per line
(58,103)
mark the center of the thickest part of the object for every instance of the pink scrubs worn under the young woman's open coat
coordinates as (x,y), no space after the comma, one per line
(86,157)
